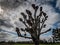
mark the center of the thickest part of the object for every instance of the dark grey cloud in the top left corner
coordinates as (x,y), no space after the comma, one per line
(11,3)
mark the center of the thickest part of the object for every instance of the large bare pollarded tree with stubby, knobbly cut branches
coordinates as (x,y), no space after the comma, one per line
(34,24)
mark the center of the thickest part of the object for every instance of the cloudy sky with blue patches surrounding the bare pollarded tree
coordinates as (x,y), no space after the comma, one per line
(10,13)
